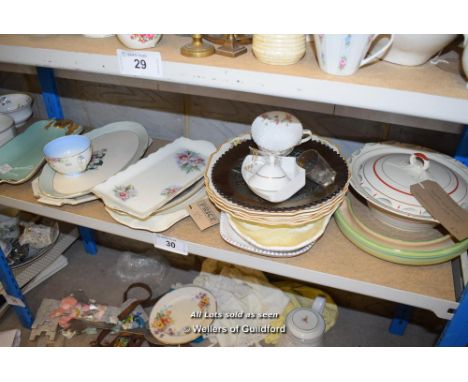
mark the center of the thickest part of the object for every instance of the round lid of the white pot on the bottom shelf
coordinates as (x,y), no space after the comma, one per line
(305,324)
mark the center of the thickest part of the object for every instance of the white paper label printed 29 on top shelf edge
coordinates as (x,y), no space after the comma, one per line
(142,64)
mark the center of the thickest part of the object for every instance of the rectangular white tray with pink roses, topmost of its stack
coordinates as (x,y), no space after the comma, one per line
(154,181)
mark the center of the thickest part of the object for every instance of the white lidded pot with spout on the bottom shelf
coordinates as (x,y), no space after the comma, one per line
(305,327)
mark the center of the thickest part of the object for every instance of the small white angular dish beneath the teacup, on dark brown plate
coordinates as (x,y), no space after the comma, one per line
(271,189)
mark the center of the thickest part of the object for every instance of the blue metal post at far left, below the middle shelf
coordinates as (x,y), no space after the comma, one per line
(12,288)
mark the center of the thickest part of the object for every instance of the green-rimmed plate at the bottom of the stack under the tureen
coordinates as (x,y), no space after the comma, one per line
(431,253)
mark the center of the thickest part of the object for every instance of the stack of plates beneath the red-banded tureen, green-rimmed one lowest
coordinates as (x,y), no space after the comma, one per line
(365,230)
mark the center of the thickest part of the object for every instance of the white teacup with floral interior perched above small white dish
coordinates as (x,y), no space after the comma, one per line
(278,132)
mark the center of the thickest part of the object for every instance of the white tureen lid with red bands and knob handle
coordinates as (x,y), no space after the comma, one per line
(384,174)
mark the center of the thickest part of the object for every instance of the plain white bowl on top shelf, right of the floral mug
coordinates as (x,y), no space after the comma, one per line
(416,49)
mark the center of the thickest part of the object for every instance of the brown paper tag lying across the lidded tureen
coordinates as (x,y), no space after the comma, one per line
(442,207)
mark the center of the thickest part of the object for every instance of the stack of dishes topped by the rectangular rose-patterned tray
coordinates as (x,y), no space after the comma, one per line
(153,194)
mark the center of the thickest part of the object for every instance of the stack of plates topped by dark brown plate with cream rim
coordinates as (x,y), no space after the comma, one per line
(277,229)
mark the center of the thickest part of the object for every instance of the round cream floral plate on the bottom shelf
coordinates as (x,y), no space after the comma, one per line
(175,316)
